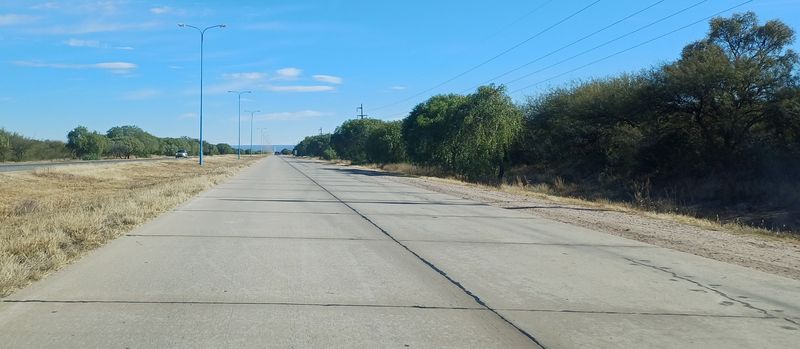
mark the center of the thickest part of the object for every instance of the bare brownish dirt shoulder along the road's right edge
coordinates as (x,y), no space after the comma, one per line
(774,255)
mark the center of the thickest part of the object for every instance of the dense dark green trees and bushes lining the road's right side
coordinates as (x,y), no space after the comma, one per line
(716,130)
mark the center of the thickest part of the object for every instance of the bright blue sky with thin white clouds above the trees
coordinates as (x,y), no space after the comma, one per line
(310,64)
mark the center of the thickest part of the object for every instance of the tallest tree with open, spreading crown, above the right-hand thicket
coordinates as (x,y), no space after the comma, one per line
(721,88)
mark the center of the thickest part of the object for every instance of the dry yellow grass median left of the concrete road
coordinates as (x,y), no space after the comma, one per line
(50,217)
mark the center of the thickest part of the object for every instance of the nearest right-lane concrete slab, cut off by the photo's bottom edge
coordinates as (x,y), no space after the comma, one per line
(615,331)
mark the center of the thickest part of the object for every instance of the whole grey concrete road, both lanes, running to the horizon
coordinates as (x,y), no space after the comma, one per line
(296,254)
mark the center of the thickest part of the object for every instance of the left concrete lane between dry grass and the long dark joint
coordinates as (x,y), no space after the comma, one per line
(266,259)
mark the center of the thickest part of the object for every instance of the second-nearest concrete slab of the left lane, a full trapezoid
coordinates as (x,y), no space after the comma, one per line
(305,271)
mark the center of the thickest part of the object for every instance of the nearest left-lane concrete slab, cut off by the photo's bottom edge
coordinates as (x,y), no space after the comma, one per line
(249,326)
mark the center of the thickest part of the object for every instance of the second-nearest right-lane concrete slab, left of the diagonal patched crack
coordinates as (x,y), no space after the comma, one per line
(536,277)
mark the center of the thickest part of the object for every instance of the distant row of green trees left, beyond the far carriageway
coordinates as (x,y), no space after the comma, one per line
(119,142)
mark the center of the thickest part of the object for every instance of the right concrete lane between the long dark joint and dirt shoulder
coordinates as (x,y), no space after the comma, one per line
(571,287)
